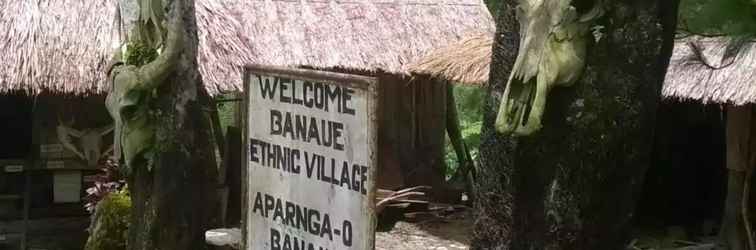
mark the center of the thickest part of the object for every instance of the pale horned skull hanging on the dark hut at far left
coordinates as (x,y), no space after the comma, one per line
(90,144)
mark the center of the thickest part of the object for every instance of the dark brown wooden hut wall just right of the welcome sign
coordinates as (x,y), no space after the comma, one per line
(411,130)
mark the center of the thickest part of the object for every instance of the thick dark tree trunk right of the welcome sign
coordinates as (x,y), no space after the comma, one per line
(574,184)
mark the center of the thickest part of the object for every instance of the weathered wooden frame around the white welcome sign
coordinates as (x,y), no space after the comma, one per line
(363,83)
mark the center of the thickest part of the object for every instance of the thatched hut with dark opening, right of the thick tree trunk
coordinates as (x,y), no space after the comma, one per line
(695,153)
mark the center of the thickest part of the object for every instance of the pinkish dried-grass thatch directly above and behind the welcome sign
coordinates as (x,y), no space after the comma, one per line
(363,35)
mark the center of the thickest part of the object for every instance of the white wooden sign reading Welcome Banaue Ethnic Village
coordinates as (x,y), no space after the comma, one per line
(311,160)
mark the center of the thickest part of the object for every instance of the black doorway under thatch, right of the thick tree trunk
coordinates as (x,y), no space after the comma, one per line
(684,188)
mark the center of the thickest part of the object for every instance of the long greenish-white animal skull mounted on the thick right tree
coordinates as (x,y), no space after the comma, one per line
(552,53)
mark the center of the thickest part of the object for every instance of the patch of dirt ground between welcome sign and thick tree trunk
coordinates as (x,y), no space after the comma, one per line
(449,233)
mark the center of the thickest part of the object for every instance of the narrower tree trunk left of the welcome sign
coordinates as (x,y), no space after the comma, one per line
(173,201)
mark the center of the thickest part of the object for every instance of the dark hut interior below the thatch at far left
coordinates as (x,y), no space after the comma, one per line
(43,182)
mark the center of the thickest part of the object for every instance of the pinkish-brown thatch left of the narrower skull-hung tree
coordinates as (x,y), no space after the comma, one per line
(59,45)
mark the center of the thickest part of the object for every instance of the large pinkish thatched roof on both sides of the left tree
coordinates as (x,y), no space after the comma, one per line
(63,45)
